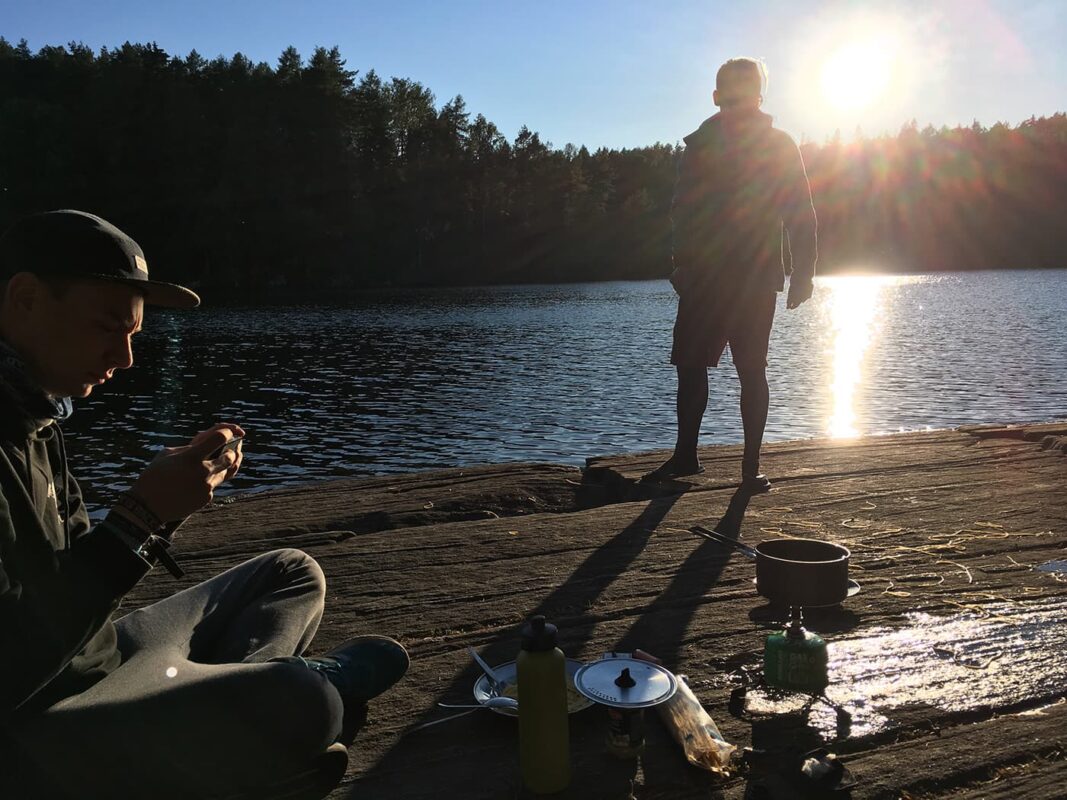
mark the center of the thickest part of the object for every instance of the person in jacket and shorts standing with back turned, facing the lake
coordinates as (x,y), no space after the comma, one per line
(742,213)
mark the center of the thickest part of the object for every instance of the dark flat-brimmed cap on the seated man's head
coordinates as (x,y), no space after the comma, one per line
(76,245)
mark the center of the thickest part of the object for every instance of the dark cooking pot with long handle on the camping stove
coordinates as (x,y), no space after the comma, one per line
(794,572)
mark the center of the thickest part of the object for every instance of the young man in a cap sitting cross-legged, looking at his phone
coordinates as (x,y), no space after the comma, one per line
(204,694)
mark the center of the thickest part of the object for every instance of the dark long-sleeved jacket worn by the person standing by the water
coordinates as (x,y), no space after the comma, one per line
(741,202)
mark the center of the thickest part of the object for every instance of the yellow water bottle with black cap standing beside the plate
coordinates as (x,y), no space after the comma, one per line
(545,757)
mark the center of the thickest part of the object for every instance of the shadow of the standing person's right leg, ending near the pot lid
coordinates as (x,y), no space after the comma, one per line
(662,629)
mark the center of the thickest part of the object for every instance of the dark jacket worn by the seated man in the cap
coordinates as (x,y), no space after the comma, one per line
(60,580)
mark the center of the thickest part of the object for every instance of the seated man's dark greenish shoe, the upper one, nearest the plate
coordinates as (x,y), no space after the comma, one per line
(363,667)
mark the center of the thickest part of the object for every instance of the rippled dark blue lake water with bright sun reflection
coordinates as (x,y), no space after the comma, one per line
(417,380)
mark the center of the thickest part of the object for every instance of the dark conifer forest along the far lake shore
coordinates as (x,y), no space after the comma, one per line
(307,181)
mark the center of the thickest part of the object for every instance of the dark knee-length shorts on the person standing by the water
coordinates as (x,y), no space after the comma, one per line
(704,330)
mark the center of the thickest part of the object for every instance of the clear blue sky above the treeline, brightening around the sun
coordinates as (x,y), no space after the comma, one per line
(626,74)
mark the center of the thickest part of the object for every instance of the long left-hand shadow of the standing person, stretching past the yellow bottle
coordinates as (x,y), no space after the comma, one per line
(477,757)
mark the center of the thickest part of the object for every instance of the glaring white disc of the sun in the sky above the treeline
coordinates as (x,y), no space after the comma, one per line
(858,74)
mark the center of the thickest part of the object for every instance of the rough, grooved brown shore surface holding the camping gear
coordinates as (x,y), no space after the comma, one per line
(947,525)
